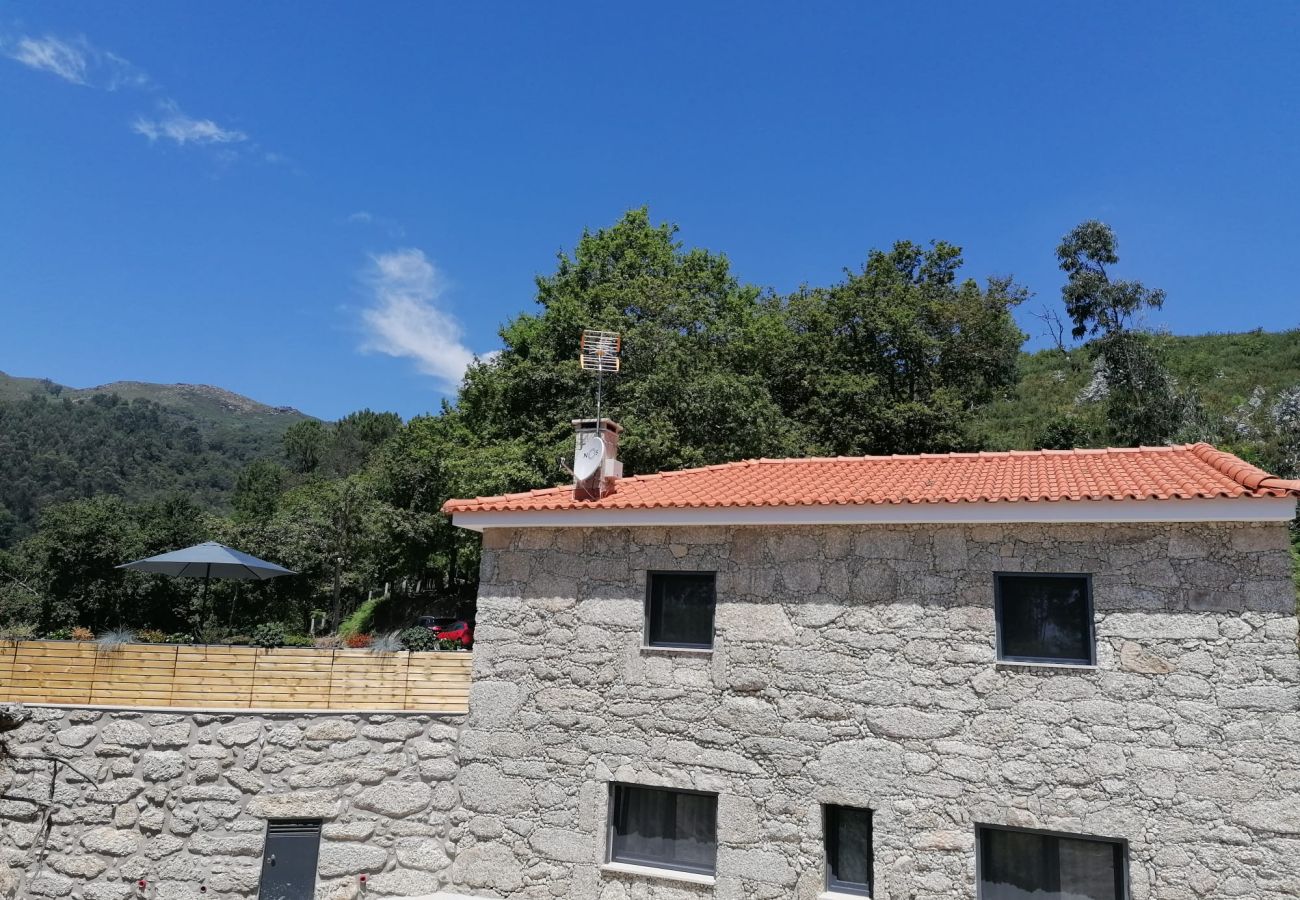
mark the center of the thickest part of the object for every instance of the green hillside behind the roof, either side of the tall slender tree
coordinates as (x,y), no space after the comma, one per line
(1223,370)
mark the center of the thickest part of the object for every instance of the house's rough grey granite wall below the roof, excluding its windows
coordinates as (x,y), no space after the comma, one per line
(857,665)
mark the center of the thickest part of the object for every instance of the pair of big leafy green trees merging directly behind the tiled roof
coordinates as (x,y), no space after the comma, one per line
(892,360)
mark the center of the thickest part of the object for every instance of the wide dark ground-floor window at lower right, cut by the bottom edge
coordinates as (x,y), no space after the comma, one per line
(1029,864)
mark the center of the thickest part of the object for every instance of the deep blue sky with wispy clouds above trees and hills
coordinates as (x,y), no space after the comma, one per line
(333,206)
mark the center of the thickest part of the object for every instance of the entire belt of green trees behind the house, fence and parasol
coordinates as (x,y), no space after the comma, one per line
(903,354)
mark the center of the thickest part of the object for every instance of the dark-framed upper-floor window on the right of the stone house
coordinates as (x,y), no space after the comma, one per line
(1046,618)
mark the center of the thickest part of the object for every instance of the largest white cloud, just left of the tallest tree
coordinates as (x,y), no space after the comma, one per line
(405,317)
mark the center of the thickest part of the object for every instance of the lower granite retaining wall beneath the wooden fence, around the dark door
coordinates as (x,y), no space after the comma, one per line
(183,802)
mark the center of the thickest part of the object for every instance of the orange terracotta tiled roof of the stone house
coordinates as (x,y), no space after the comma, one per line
(1176,473)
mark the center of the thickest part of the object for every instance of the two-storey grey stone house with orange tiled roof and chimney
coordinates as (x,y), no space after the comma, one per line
(1054,676)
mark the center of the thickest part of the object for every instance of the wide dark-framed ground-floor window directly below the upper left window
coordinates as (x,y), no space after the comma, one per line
(665,829)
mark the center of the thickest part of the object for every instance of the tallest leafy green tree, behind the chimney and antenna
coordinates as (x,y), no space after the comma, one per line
(690,392)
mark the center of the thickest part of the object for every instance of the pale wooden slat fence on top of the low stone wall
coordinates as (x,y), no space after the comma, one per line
(233,678)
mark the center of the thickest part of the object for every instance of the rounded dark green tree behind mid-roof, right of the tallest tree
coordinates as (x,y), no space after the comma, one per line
(898,357)
